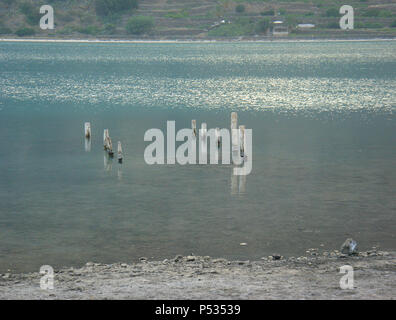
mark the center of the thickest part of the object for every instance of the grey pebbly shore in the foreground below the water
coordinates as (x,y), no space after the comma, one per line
(315,276)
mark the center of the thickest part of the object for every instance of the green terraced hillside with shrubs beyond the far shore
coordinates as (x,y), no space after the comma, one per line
(195,19)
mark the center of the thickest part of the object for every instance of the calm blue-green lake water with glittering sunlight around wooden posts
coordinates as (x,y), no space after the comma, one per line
(324,150)
